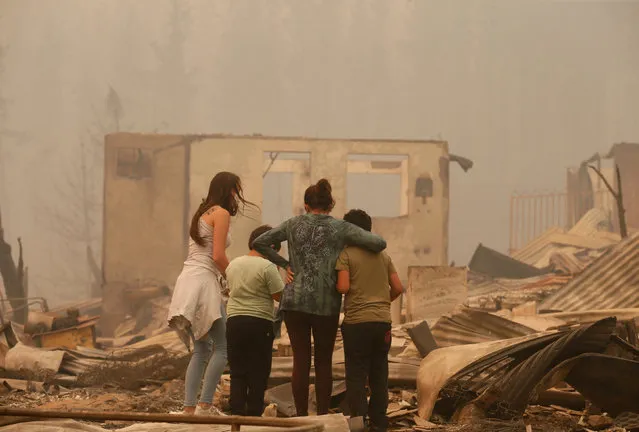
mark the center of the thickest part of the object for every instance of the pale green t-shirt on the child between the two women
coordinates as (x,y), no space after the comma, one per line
(252,281)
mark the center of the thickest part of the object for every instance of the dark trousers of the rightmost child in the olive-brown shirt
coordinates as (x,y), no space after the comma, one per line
(366,348)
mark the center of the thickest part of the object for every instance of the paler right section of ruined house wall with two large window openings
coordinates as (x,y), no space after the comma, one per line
(419,238)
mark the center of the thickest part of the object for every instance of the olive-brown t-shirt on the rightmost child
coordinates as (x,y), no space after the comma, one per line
(368,298)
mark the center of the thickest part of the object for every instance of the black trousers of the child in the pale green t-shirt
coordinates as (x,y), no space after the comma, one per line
(249,343)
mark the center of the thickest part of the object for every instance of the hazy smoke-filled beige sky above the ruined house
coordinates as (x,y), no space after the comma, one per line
(524,88)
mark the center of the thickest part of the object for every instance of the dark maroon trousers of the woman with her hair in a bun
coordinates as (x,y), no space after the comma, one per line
(324,328)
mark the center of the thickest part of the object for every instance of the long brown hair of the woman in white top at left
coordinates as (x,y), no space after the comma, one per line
(225,190)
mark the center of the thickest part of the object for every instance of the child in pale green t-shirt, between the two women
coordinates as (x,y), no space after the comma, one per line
(254,283)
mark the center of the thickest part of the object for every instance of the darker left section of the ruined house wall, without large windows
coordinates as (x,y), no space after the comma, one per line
(144,234)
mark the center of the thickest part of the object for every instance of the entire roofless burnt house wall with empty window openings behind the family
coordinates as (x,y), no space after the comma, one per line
(142,241)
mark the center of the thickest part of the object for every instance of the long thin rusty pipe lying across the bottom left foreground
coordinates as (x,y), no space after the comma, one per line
(289,425)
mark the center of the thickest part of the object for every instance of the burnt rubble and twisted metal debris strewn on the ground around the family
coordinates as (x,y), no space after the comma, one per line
(543,340)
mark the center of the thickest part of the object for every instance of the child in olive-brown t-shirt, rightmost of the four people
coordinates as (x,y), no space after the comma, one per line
(370,283)
